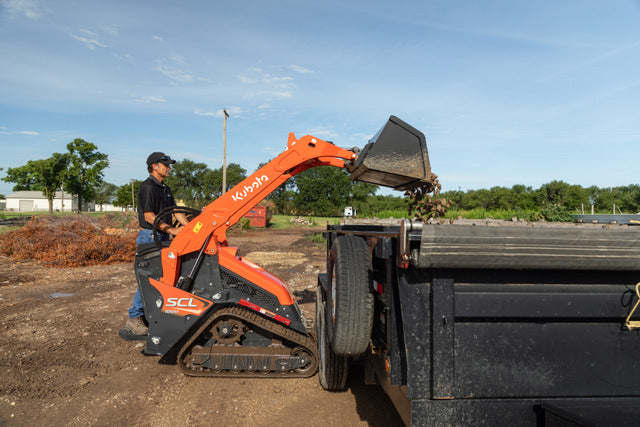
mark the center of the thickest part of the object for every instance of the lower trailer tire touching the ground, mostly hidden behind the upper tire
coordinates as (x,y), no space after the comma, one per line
(333,370)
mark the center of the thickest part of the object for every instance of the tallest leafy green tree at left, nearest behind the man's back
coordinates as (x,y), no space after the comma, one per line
(85,173)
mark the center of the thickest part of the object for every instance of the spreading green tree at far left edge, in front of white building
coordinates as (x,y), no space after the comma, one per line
(40,175)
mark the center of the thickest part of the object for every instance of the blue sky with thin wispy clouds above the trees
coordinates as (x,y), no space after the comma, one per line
(507,92)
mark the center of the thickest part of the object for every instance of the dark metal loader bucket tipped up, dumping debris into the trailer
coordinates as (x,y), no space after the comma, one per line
(395,157)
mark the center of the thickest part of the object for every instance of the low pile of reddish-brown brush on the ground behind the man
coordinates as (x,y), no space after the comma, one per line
(70,241)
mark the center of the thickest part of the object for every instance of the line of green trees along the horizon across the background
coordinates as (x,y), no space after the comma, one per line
(322,191)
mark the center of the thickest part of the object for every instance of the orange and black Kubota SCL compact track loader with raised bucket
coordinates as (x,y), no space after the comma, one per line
(216,313)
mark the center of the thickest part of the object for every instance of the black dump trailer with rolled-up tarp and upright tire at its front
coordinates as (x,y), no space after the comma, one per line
(483,323)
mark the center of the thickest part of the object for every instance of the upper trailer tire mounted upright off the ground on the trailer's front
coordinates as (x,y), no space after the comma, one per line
(349,299)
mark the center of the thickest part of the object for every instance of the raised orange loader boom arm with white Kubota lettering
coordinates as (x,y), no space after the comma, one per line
(207,231)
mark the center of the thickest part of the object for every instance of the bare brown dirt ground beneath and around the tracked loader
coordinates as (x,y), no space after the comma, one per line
(62,362)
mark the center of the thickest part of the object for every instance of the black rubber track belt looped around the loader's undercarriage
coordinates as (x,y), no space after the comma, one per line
(307,342)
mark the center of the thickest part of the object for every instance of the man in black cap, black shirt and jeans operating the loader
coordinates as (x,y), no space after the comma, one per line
(153,197)
